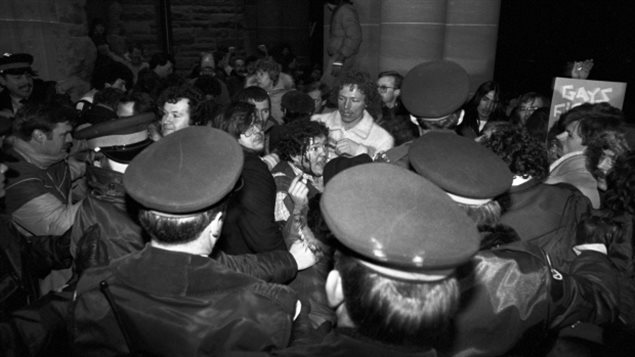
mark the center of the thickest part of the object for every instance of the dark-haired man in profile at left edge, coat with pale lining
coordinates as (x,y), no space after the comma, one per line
(38,191)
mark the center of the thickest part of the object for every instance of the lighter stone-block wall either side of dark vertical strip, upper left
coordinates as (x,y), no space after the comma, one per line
(197,25)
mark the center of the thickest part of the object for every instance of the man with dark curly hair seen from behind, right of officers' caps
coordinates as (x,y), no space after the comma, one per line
(546,215)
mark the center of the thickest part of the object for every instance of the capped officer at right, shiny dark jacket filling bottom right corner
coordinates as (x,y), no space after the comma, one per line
(498,316)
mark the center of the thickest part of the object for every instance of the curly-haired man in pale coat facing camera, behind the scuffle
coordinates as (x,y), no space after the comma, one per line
(353,130)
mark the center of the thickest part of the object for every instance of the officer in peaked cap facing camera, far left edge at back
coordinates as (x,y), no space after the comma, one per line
(16,77)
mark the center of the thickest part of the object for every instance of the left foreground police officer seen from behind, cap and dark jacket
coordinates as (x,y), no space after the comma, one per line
(144,301)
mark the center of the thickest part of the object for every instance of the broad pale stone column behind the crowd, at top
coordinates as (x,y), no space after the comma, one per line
(399,34)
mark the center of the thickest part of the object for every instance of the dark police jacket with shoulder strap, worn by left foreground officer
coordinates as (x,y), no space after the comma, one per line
(178,304)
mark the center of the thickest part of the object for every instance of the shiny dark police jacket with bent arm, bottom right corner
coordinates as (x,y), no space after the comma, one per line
(511,297)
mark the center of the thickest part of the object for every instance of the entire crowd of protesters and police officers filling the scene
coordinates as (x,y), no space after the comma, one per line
(248,210)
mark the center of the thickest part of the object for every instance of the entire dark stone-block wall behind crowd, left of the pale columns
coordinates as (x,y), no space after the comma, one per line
(205,25)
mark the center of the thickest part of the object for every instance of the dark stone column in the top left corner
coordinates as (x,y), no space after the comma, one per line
(54,32)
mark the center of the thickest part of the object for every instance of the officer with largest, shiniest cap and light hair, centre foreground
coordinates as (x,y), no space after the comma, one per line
(394,286)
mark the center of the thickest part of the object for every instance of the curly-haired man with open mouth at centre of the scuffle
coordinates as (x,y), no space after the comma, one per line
(302,149)
